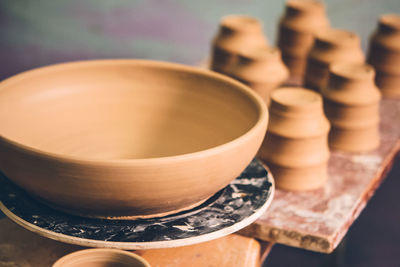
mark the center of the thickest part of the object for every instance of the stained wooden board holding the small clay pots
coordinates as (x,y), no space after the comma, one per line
(318,220)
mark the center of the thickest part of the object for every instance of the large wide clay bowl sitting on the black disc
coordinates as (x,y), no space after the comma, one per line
(116,138)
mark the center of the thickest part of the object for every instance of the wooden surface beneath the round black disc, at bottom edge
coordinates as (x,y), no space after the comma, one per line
(20,247)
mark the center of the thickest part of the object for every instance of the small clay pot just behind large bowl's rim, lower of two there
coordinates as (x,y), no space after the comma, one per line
(262,69)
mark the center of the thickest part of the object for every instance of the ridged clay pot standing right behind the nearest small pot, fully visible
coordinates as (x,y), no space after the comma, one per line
(351,103)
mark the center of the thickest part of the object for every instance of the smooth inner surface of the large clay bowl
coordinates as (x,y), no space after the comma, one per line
(123,110)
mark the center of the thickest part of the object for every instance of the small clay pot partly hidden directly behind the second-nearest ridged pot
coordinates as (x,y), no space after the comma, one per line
(332,45)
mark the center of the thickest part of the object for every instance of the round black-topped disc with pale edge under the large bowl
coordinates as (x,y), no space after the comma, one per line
(234,207)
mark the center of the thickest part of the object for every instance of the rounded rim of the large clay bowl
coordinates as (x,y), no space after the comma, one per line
(257,100)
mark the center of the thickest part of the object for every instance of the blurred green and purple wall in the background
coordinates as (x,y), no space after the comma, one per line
(39,32)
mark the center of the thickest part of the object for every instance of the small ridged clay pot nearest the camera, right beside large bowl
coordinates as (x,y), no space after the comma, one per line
(296,145)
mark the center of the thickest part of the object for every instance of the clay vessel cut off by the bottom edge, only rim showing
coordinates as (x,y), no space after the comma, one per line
(101,257)
